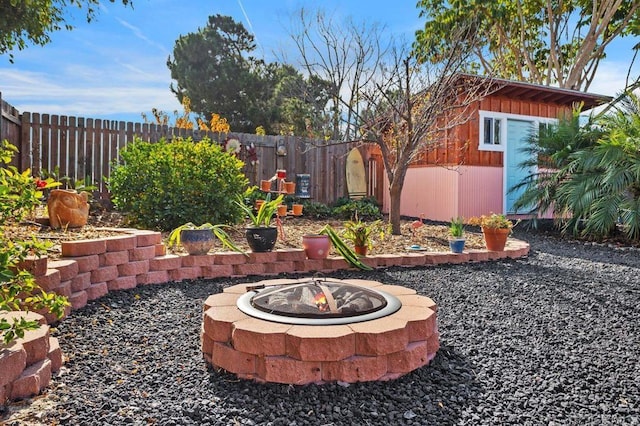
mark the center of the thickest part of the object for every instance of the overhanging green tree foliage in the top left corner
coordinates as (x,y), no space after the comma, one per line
(33,21)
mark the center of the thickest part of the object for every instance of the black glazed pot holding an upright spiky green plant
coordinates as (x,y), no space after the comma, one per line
(261,236)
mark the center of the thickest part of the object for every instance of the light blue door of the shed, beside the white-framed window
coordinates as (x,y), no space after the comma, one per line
(517,133)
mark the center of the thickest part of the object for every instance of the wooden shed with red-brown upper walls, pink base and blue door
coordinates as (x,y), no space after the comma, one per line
(472,171)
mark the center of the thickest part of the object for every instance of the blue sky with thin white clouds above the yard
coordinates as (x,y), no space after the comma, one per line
(115,68)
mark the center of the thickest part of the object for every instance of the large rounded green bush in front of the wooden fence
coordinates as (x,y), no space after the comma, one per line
(165,184)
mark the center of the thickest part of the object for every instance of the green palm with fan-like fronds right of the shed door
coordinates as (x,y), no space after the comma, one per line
(603,184)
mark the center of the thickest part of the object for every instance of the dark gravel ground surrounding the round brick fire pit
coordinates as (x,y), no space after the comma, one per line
(552,339)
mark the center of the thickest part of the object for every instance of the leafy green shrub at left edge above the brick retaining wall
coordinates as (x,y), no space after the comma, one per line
(19,195)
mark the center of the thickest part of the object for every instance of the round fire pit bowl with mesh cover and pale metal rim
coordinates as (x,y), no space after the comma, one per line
(317,302)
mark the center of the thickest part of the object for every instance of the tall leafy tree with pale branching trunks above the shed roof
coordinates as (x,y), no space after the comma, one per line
(541,41)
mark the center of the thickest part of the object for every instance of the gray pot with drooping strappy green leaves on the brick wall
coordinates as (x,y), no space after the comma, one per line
(198,240)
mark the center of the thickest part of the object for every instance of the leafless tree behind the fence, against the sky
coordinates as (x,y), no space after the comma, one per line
(345,54)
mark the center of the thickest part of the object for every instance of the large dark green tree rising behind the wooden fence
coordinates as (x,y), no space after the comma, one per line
(214,68)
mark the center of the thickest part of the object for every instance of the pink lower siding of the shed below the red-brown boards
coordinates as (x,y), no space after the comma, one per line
(440,193)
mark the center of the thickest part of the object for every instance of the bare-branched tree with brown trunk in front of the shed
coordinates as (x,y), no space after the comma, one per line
(411,108)
